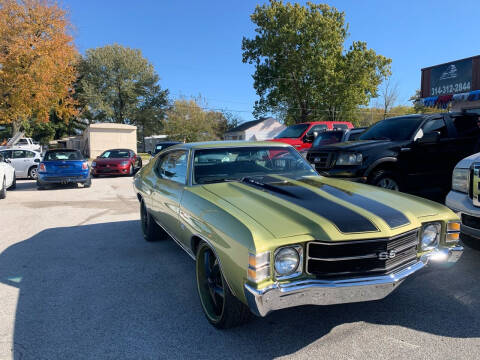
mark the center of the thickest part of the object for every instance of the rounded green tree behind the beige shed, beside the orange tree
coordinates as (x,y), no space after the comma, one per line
(117,84)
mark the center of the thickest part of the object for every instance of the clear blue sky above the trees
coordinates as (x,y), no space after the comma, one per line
(195,46)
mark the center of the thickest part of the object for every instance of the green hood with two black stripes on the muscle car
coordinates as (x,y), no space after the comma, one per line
(325,209)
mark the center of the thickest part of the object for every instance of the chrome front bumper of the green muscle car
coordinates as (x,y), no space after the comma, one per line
(329,292)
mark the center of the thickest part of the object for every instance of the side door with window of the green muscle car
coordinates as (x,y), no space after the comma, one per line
(171,178)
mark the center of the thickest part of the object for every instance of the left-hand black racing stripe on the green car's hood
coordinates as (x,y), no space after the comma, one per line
(345,219)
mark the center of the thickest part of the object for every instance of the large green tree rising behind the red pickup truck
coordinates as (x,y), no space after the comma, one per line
(302,69)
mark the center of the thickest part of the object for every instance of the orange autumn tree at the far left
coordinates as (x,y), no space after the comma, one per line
(37,62)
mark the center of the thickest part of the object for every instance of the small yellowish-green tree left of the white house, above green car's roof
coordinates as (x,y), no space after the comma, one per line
(188,121)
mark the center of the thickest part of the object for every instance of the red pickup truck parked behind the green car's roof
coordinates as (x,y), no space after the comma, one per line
(301,136)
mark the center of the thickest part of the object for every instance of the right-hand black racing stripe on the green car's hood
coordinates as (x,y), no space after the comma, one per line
(391,216)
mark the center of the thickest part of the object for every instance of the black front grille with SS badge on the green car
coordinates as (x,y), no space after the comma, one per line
(367,257)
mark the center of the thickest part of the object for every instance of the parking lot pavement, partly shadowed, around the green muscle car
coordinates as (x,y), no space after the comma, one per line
(77,281)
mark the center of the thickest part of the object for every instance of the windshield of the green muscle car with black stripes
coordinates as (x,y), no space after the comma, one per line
(230,164)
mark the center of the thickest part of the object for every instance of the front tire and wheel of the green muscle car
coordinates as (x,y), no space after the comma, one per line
(221,308)
